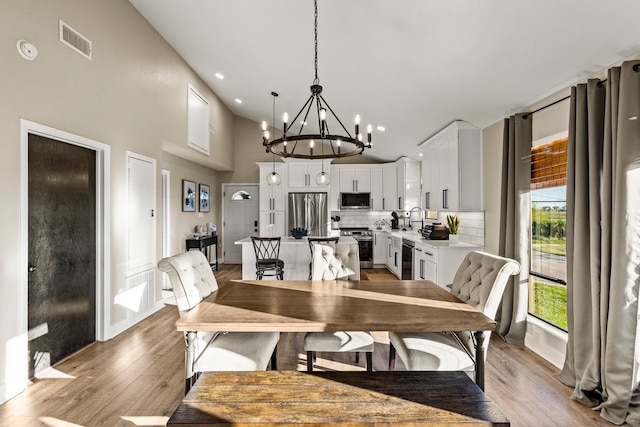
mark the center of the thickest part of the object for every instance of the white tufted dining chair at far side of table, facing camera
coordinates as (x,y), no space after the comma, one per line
(337,262)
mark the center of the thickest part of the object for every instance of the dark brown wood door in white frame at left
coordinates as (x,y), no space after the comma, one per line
(62,250)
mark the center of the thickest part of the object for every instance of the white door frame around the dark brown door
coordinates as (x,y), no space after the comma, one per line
(103,229)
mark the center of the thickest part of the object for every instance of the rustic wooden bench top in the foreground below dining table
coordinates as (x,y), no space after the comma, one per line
(336,398)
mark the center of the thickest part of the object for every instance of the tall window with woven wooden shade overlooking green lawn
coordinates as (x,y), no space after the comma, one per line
(548,275)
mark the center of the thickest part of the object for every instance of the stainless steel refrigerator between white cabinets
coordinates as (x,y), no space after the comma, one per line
(309,210)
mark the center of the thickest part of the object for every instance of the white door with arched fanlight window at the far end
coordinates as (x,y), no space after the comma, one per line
(240,218)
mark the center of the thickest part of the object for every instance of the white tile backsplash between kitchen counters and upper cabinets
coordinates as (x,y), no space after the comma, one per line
(471,223)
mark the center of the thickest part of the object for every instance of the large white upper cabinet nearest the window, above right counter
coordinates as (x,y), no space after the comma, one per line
(452,169)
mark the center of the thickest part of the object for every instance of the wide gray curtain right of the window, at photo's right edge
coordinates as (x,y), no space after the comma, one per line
(603,245)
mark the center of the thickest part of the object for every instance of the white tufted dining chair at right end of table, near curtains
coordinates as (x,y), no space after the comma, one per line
(479,281)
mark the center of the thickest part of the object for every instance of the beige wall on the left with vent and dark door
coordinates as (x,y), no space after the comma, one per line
(131,96)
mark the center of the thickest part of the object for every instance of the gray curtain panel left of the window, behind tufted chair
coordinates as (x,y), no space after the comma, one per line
(515,220)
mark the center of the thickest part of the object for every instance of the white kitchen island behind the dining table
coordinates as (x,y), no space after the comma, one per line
(294,252)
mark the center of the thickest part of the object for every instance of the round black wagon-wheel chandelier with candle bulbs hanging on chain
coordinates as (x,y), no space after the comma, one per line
(320,143)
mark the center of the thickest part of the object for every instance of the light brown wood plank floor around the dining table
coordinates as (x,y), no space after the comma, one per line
(136,379)
